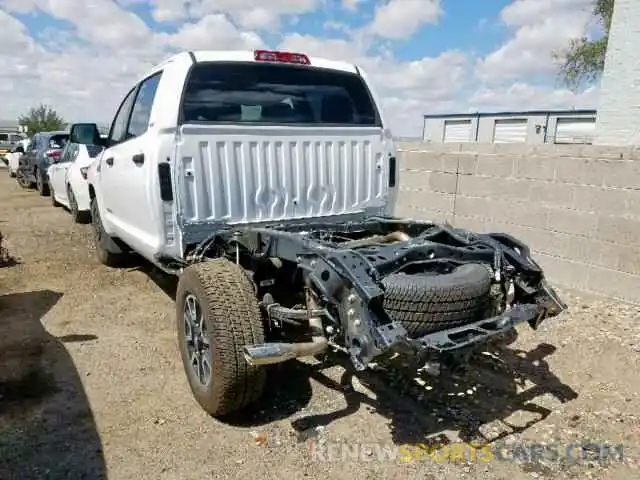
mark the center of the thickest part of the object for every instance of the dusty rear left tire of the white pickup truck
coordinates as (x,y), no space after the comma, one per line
(231,319)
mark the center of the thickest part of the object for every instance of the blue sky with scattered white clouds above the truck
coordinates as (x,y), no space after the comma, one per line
(424,56)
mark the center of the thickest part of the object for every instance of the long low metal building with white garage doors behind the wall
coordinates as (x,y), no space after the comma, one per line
(537,126)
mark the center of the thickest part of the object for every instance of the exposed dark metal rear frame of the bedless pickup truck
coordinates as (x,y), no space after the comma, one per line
(323,284)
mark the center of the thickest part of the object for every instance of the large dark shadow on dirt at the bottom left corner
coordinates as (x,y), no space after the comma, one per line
(47,428)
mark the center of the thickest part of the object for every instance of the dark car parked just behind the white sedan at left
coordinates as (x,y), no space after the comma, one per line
(45,147)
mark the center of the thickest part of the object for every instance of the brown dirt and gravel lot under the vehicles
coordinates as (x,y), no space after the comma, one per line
(110,399)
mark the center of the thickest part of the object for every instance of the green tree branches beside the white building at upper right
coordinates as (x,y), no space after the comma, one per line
(583,61)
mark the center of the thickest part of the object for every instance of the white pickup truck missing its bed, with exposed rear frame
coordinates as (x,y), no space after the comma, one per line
(267,181)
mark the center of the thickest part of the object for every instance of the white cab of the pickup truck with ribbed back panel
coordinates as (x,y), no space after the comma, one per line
(211,138)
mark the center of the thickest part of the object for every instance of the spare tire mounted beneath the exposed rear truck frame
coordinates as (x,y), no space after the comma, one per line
(429,303)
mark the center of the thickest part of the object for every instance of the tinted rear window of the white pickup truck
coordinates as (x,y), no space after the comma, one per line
(228,92)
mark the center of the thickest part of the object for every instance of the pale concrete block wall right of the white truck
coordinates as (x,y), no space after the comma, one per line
(577,206)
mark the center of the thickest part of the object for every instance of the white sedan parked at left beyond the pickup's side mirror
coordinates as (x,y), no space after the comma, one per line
(68,180)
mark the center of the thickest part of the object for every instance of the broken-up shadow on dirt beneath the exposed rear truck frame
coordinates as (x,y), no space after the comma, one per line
(421,407)
